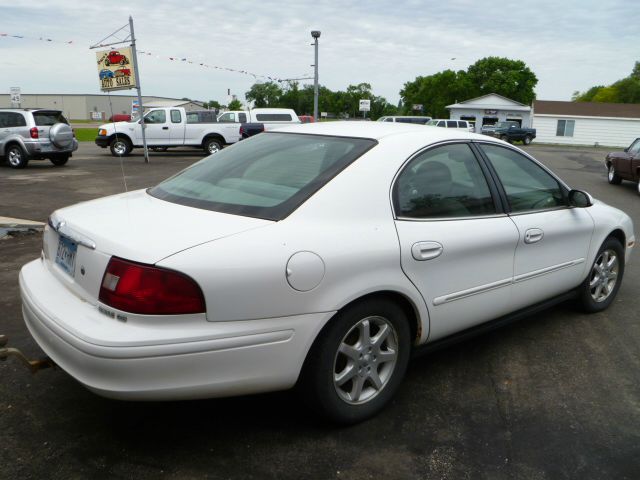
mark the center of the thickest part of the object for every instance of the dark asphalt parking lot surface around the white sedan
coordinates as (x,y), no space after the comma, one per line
(554,396)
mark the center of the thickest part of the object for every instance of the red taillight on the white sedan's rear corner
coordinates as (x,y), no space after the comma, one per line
(148,290)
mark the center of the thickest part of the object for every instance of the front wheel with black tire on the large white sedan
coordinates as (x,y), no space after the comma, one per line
(601,286)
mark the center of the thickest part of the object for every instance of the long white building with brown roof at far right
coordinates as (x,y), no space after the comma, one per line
(586,123)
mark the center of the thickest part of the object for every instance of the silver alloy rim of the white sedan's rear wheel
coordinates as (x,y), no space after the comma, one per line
(365,360)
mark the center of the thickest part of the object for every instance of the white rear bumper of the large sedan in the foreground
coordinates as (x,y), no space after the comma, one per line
(205,359)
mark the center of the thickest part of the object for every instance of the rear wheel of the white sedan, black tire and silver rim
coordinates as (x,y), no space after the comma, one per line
(367,363)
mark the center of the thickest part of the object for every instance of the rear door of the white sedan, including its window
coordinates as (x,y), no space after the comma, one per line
(456,242)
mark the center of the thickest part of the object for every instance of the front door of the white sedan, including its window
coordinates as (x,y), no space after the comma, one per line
(554,239)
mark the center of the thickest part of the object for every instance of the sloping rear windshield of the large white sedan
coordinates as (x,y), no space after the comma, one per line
(267,176)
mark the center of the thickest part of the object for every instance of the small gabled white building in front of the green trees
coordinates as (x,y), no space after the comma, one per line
(490,109)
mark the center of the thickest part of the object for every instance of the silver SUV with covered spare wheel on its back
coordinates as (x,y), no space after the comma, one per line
(35,134)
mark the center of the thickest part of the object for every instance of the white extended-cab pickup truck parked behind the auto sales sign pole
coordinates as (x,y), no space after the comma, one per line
(166,128)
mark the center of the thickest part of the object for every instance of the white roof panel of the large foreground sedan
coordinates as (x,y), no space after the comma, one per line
(381,130)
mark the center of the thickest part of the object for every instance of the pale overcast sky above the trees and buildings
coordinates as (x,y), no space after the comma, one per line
(570,45)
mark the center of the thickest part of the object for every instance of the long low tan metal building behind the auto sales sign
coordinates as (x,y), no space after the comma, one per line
(90,107)
